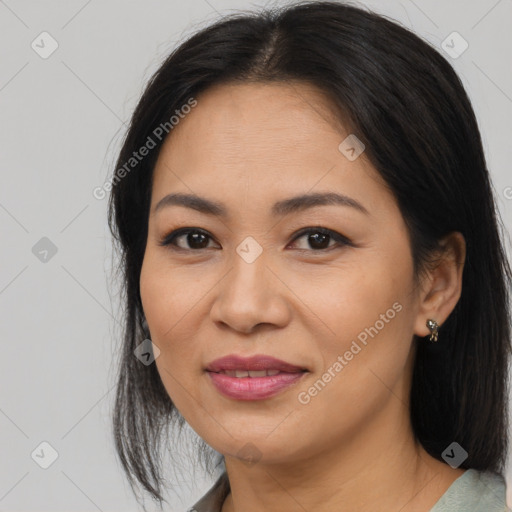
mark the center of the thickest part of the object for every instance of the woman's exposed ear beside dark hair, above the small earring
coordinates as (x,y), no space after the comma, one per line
(442,286)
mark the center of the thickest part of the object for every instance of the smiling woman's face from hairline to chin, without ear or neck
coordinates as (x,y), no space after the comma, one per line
(338,303)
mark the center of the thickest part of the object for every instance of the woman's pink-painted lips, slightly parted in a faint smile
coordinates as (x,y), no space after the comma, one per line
(253,388)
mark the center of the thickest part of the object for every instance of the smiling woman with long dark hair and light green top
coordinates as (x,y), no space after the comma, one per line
(312,261)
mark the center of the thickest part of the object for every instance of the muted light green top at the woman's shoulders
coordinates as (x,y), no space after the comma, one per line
(473,491)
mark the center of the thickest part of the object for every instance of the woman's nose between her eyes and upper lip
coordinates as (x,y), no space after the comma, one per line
(250,295)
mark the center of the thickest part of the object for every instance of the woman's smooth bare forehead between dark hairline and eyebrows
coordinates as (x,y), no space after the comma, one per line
(255,140)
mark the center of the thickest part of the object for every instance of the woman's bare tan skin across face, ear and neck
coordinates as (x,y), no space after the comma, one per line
(351,447)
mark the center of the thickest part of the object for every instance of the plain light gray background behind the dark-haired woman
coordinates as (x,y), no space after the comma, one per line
(62,122)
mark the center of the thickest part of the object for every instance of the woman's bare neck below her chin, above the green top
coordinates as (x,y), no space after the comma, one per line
(381,467)
